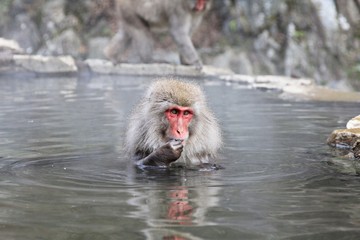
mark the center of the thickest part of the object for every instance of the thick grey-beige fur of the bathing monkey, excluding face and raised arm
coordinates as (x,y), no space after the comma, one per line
(148,124)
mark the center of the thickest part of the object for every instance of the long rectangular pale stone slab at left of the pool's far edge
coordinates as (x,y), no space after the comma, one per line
(44,64)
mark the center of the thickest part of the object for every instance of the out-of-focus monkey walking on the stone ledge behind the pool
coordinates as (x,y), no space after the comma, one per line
(139,19)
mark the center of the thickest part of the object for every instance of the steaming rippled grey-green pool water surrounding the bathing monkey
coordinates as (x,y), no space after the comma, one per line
(63,174)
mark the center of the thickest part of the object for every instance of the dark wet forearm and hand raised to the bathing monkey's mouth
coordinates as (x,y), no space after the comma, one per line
(163,156)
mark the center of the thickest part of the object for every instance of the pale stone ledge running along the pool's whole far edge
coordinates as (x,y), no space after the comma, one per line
(53,66)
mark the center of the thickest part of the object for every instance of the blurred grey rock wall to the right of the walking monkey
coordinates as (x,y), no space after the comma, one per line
(319,39)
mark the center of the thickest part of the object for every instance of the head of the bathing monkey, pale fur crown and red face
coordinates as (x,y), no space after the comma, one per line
(177,106)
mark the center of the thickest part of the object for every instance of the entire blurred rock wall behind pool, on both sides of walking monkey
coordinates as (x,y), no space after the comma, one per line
(318,39)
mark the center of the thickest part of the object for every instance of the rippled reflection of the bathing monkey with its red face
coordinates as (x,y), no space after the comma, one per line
(182,203)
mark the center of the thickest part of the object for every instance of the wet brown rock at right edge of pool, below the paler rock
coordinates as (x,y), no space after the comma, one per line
(347,140)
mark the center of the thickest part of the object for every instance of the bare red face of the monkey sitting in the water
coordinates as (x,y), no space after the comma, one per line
(179,119)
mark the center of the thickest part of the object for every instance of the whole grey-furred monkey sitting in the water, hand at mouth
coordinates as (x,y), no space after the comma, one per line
(173,126)
